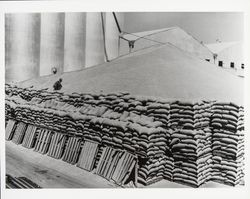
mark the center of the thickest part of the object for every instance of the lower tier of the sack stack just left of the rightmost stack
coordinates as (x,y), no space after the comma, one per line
(192,156)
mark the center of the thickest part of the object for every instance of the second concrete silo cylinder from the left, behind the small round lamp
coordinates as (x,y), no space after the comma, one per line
(52,42)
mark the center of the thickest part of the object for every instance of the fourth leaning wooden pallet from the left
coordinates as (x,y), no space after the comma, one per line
(43,141)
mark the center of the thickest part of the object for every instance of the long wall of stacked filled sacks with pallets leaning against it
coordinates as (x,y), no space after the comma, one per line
(185,142)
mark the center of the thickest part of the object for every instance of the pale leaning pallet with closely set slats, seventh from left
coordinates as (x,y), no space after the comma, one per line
(87,156)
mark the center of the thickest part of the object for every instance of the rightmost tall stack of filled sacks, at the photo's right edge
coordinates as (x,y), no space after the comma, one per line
(228,143)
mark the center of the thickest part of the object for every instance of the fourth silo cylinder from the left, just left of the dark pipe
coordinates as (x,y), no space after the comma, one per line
(94,40)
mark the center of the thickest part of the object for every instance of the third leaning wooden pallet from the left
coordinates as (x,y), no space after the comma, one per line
(29,138)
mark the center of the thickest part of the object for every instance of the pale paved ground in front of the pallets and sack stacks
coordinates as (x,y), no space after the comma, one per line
(48,172)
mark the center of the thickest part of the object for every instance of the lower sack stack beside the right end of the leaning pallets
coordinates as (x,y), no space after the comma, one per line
(155,142)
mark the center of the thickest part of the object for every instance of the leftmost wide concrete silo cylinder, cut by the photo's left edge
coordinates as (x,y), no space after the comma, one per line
(22,46)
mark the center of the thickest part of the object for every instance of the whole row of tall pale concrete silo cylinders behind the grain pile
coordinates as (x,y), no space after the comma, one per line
(36,43)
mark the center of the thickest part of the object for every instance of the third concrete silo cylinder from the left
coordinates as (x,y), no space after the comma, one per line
(74,41)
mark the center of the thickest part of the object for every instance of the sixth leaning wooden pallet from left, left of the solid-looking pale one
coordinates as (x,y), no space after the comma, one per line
(72,150)
